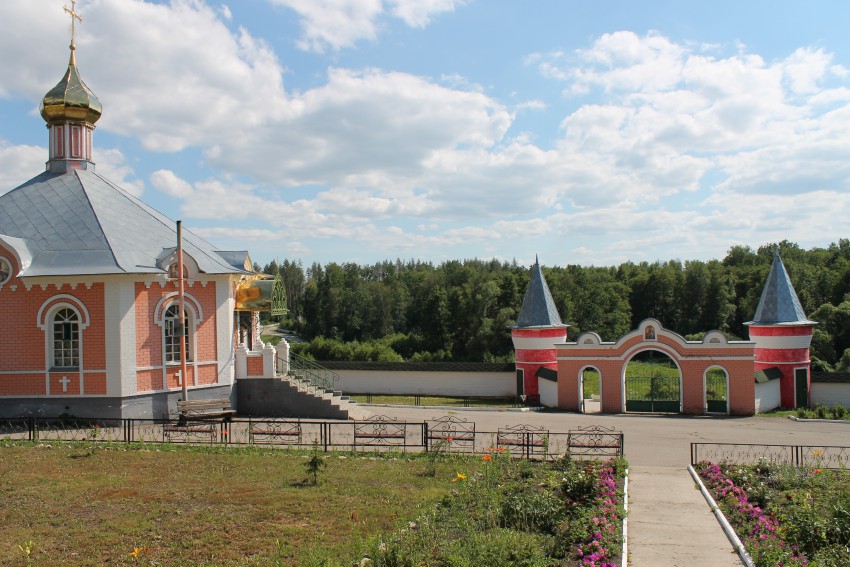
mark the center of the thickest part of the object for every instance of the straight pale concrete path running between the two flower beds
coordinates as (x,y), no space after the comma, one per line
(670,523)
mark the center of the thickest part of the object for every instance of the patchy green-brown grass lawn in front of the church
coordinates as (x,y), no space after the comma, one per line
(191,506)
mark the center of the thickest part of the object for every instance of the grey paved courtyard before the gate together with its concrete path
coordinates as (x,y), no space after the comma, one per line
(670,524)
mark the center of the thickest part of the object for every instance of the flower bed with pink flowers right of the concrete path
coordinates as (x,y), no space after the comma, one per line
(783,515)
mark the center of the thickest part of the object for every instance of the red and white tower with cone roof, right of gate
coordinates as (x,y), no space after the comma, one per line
(783,334)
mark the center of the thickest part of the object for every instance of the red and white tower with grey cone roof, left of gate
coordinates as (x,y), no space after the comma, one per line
(537,329)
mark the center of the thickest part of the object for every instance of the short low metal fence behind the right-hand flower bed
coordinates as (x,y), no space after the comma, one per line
(801,456)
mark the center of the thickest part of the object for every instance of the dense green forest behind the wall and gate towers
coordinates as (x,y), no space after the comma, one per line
(462,310)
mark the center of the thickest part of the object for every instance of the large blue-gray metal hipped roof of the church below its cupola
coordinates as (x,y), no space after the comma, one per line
(80,223)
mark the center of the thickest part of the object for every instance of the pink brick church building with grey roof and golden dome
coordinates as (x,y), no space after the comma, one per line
(90,289)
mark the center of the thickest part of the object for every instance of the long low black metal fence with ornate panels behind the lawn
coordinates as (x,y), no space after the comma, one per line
(447,434)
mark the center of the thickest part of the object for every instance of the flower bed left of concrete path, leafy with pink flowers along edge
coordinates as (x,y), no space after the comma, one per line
(516,513)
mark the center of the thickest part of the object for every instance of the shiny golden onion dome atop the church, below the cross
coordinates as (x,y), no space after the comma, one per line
(71,100)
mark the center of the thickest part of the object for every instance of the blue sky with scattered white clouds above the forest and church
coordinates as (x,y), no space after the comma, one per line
(359,130)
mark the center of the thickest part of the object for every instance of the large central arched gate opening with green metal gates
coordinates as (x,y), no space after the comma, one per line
(652,382)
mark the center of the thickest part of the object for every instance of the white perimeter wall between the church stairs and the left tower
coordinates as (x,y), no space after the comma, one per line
(429,383)
